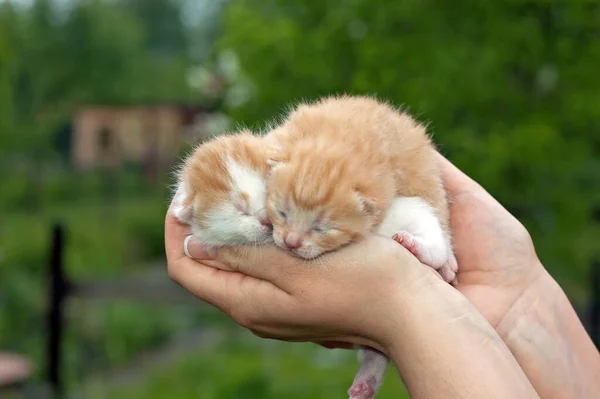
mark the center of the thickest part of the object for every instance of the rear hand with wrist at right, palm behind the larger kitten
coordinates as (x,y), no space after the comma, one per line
(501,275)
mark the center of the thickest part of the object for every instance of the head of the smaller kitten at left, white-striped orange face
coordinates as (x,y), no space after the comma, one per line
(222,191)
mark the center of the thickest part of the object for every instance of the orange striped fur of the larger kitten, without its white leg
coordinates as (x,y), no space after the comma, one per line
(340,163)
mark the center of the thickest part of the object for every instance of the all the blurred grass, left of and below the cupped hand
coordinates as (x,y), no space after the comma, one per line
(108,241)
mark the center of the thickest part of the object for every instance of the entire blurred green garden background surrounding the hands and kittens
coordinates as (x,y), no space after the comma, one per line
(509,89)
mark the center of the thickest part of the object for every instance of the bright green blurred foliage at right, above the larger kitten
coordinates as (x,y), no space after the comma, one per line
(507,88)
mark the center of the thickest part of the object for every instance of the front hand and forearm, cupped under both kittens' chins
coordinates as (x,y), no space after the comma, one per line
(374,293)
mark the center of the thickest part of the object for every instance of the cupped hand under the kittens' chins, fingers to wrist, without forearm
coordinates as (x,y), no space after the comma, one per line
(348,296)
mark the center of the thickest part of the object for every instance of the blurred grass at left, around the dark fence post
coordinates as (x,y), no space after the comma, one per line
(101,241)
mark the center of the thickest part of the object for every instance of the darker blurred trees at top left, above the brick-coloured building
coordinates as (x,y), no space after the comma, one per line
(55,57)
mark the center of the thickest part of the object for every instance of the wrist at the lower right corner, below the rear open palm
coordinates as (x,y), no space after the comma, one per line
(548,340)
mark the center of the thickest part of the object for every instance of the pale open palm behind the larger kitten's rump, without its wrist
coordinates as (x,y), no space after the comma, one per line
(496,257)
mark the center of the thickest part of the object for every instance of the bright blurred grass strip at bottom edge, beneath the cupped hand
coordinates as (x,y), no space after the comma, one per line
(255,368)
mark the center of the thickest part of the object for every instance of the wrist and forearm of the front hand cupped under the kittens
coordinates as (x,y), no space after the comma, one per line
(437,334)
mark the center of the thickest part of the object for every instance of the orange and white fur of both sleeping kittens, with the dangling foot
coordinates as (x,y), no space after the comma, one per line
(347,166)
